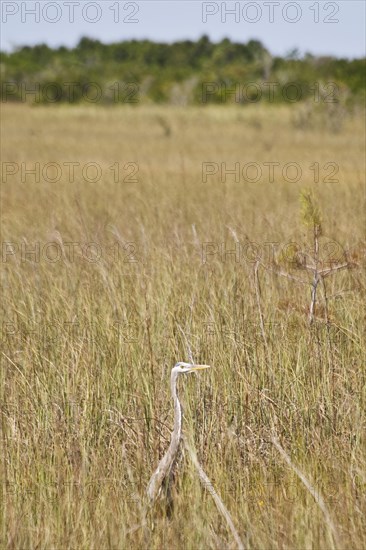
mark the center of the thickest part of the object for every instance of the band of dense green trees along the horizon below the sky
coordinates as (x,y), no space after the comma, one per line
(180,73)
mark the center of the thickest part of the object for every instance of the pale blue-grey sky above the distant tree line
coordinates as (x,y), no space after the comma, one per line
(319,27)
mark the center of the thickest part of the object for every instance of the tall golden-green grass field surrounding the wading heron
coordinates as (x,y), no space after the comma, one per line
(105,282)
